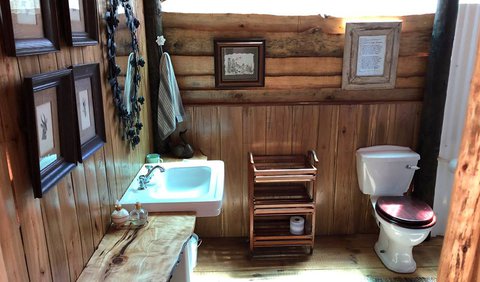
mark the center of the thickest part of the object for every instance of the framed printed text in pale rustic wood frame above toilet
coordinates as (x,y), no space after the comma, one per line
(371,55)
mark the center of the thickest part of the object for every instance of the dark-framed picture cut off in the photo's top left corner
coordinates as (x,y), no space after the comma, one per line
(29,27)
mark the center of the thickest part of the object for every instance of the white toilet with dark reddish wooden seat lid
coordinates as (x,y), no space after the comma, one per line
(385,173)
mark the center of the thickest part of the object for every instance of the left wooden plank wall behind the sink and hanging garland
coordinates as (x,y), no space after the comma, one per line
(51,239)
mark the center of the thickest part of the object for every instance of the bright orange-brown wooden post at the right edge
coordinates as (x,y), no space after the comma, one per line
(459,260)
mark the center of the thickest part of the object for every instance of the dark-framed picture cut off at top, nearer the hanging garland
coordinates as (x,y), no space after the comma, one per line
(80,22)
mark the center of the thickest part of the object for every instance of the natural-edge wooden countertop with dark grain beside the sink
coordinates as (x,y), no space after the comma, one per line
(149,253)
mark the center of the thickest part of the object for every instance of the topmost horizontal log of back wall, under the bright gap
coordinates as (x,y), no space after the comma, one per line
(271,23)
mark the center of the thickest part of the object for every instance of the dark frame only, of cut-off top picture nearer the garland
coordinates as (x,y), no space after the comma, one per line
(90,36)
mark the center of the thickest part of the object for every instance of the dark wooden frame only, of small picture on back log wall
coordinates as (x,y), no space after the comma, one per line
(226,43)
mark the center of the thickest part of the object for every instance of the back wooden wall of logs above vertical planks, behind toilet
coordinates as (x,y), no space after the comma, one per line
(301,107)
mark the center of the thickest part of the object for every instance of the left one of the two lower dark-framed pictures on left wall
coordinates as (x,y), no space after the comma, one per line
(50,116)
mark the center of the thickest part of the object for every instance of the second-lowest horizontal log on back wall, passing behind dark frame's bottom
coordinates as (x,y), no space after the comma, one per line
(291,82)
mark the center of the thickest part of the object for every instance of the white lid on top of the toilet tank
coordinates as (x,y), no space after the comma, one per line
(387,152)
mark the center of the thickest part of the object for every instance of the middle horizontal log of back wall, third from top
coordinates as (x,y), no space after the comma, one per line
(203,65)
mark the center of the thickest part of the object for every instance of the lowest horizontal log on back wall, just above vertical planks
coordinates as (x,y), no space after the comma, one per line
(299,96)
